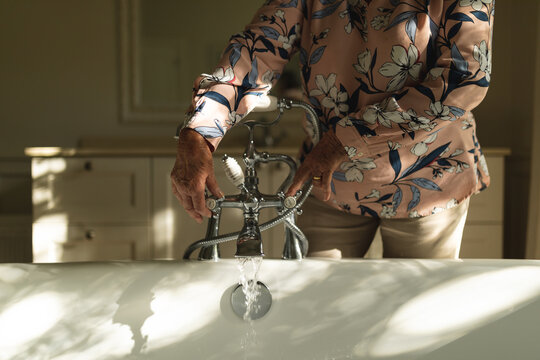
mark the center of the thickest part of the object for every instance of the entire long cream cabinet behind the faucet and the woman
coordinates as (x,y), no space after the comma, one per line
(121,208)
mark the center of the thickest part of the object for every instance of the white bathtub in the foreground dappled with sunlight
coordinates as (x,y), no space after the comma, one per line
(362,309)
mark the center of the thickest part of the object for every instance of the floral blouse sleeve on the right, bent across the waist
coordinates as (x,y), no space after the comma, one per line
(457,82)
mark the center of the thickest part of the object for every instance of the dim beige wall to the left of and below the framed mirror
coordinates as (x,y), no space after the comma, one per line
(59,76)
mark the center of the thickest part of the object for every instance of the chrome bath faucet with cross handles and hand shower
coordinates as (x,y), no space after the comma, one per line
(250,200)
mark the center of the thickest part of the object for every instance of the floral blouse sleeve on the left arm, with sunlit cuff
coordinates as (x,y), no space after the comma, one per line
(250,65)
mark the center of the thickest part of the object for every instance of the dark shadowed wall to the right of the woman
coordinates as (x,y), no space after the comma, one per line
(506,116)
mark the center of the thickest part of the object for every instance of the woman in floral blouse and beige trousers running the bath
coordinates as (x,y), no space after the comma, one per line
(393,83)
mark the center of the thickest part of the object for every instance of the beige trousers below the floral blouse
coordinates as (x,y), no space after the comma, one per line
(336,234)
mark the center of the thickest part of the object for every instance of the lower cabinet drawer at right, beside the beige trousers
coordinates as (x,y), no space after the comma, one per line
(482,241)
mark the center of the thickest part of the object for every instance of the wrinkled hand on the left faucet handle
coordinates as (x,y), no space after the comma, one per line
(193,171)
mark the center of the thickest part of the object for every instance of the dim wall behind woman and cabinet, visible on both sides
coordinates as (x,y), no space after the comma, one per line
(59,82)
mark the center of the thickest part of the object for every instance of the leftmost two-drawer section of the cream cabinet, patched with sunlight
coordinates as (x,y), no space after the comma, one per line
(90,209)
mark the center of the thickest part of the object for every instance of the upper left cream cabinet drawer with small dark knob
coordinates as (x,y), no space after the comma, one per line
(91,190)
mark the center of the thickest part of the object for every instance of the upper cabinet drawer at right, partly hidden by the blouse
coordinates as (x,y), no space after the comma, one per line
(488,205)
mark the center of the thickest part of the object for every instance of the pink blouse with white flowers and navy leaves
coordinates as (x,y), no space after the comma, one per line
(396,81)
